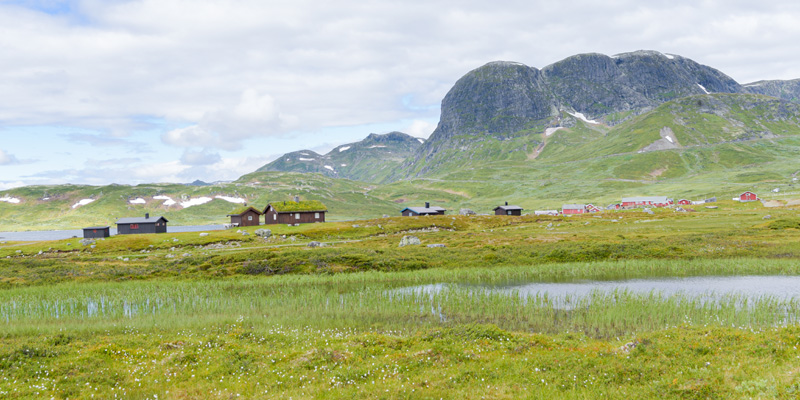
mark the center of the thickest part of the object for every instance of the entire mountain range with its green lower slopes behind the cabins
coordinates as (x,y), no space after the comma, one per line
(587,129)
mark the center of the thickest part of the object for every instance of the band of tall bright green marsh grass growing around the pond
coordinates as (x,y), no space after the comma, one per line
(375,299)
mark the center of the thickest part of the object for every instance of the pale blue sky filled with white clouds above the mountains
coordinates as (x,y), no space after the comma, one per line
(144,91)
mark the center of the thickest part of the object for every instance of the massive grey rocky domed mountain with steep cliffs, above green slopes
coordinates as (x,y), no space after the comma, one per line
(502,103)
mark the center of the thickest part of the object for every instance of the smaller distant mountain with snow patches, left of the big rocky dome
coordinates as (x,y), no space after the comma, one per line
(369,160)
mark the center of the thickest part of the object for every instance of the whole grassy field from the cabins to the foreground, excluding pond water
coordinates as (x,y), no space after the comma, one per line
(227,315)
